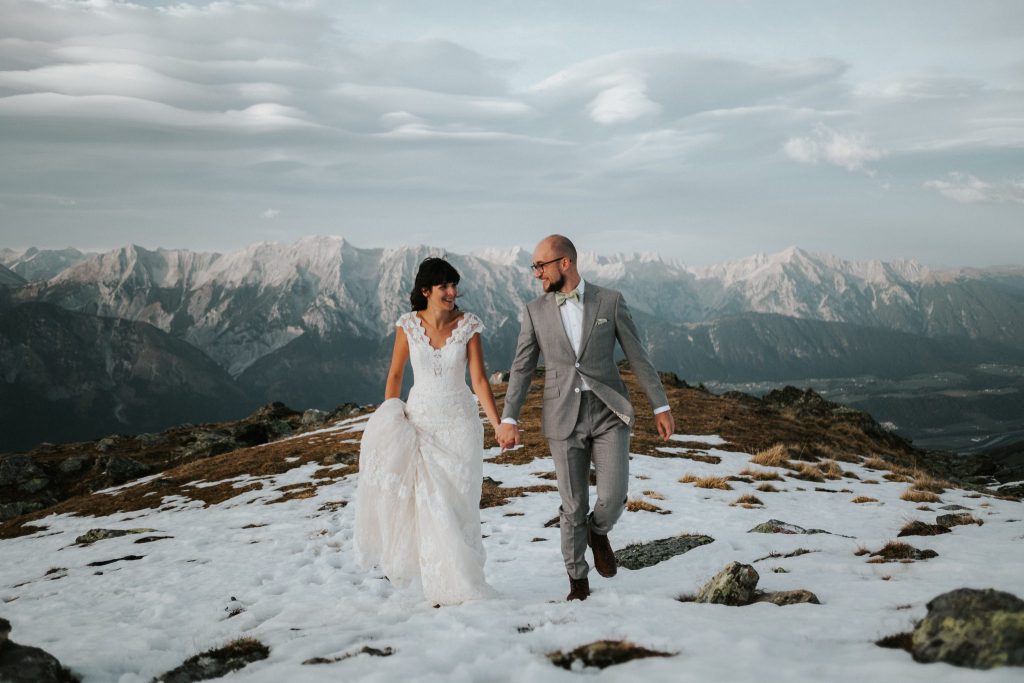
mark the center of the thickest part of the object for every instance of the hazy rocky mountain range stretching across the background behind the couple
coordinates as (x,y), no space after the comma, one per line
(311,323)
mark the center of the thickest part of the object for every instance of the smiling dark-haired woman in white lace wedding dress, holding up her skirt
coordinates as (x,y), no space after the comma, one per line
(418,503)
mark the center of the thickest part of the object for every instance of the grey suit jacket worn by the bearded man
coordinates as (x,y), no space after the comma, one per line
(606,319)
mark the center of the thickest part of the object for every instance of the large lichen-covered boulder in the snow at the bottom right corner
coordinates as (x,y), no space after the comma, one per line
(972,628)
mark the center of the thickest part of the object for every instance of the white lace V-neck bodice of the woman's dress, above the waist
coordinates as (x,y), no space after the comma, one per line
(439,370)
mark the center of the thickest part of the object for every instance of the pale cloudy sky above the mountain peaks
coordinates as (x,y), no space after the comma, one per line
(704,132)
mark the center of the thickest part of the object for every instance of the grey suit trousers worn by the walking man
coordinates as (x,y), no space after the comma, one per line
(603,438)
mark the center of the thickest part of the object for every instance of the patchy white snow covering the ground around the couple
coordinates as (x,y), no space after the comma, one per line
(305,596)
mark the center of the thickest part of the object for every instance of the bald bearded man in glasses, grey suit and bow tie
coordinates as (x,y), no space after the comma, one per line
(587,415)
